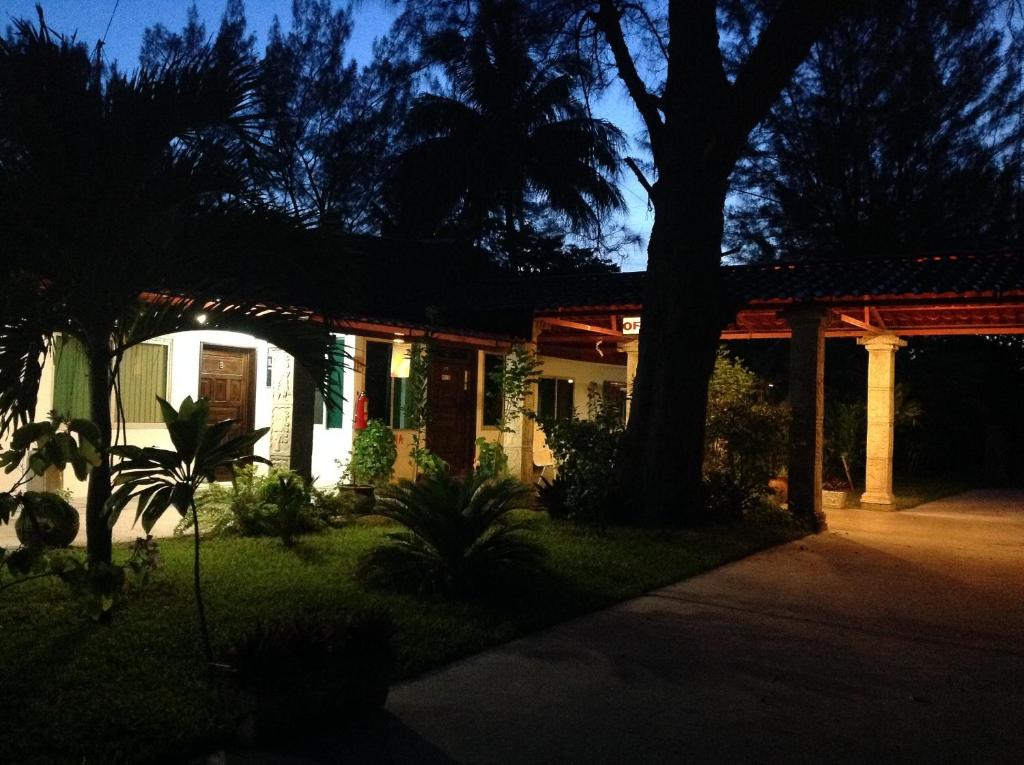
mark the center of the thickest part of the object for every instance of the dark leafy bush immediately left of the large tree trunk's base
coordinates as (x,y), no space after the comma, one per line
(586,453)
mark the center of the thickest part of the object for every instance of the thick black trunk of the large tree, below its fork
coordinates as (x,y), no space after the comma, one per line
(684,315)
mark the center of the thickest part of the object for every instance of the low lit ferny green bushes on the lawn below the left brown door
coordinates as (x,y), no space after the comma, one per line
(279,504)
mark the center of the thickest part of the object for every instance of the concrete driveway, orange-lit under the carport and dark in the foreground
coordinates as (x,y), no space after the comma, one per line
(893,637)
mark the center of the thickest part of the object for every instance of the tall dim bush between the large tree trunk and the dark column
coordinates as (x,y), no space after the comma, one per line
(747,441)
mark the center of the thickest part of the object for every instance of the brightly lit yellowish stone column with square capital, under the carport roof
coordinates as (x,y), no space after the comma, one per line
(881,416)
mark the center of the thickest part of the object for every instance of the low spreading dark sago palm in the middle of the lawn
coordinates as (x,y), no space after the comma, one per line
(460,537)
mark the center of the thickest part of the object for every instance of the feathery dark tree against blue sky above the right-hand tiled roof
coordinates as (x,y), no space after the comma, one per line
(901,134)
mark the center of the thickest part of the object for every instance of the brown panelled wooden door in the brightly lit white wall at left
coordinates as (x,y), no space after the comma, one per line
(226,378)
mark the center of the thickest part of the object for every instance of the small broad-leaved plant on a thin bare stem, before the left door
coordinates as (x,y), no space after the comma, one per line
(161,479)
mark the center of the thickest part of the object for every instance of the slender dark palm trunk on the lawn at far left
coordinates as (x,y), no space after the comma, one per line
(98,532)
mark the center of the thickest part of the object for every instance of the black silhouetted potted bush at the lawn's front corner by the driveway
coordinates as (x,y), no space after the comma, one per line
(318,671)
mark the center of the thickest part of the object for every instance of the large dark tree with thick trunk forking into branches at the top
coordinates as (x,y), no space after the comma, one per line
(702,75)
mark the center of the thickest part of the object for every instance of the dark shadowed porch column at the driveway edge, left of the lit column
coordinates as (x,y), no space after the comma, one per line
(807,367)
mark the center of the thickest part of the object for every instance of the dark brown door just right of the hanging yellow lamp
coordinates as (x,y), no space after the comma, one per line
(452,400)
